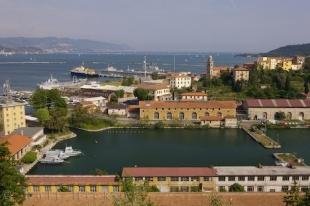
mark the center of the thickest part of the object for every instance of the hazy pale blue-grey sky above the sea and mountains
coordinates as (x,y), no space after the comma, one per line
(164,25)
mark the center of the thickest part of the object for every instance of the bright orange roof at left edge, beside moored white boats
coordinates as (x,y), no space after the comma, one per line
(15,142)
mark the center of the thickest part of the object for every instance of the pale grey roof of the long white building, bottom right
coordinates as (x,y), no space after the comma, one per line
(265,170)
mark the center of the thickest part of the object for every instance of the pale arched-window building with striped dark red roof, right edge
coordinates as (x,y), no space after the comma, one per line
(266,109)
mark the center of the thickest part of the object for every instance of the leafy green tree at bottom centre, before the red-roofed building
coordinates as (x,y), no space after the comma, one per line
(134,195)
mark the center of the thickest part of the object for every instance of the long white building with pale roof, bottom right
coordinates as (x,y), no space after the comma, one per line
(262,179)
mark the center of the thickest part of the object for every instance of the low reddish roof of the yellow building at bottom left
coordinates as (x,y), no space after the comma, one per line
(70,179)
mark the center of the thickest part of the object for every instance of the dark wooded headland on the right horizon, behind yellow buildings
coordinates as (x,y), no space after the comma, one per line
(289,50)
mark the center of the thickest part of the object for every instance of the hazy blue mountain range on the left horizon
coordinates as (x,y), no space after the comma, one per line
(21,45)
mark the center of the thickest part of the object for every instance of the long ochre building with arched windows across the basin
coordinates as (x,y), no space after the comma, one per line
(185,110)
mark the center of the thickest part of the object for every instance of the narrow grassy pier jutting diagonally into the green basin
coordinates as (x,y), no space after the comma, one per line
(262,138)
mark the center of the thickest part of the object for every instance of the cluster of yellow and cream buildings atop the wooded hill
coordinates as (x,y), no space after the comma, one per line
(286,63)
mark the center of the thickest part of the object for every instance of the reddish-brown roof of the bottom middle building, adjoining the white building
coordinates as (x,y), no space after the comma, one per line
(167,171)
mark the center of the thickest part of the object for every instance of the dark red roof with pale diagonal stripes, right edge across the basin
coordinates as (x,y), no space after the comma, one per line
(277,103)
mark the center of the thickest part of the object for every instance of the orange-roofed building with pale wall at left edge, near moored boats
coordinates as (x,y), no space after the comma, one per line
(18,145)
